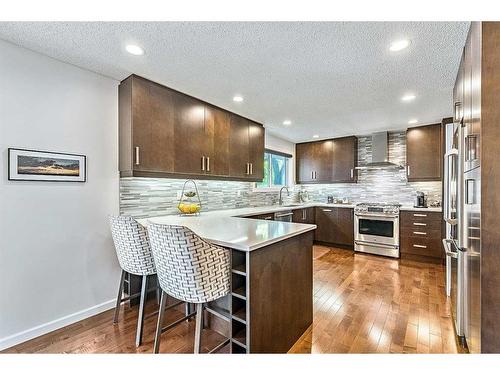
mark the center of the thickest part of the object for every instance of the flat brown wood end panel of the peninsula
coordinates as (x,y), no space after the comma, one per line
(281,294)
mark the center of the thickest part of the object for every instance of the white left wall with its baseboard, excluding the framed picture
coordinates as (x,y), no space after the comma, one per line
(57,261)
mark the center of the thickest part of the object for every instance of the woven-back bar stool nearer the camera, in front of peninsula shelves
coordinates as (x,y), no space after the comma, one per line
(190,270)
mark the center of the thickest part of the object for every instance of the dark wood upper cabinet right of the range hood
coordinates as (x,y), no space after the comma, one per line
(424,153)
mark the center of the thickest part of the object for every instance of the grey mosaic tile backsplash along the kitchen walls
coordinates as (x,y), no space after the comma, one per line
(146,197)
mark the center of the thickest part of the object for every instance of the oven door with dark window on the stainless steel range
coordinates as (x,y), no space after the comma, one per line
(378,229)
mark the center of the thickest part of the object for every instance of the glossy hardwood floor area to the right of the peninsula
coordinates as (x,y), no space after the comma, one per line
(369,304)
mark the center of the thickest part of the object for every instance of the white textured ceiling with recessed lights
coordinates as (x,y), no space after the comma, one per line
(328,78)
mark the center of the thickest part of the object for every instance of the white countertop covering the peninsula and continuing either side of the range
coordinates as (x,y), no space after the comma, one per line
(231,228)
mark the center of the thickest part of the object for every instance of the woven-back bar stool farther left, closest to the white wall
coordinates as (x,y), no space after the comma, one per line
(135,257)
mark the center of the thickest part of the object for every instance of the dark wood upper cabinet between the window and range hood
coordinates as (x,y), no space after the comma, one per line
(332,160)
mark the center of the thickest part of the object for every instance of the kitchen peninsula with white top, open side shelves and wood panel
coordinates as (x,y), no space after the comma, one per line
(270,304)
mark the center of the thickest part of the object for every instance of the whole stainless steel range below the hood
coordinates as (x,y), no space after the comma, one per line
(376,229)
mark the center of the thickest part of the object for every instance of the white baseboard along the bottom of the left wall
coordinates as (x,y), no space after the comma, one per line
(42,329)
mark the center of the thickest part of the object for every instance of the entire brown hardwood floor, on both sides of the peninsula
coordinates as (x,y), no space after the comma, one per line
(362,304)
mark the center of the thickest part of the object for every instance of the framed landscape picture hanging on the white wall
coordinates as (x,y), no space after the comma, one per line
(32,165)
